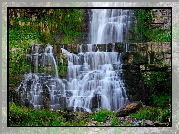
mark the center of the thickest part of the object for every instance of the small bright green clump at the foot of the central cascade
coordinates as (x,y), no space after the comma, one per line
(101,115)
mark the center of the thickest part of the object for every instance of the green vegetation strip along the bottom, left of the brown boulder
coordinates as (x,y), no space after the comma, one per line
(23,116)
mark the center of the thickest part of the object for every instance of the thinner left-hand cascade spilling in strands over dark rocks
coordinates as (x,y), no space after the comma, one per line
(37,89)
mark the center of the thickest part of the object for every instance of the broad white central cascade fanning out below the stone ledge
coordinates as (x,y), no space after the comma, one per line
(94,76)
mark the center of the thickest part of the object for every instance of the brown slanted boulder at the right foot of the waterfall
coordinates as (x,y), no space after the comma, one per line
(129,108)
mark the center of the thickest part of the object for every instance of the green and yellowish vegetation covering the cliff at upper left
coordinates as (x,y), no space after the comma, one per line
(39,26)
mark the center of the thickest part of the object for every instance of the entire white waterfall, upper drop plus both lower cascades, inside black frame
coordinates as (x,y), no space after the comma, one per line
(93,75)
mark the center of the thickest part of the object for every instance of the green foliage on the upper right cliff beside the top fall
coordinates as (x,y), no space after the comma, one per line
(142,32)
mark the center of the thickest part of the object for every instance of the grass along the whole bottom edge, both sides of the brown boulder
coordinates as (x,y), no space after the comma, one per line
(23,116)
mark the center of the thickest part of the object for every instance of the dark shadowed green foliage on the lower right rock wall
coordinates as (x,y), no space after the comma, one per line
(159,85)
